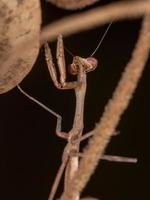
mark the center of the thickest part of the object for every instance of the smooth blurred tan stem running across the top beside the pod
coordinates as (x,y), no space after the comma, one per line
(94,18)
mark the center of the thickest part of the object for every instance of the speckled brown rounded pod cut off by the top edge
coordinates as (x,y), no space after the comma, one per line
(72,4)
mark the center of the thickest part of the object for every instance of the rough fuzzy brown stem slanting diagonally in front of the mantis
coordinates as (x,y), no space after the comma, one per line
(113,111)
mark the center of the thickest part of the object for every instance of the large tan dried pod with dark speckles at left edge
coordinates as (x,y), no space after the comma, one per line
(19,40)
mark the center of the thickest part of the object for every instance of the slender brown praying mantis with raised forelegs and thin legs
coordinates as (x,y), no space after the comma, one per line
(79,67)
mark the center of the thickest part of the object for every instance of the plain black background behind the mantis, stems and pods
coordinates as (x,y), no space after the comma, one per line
(30,150)
